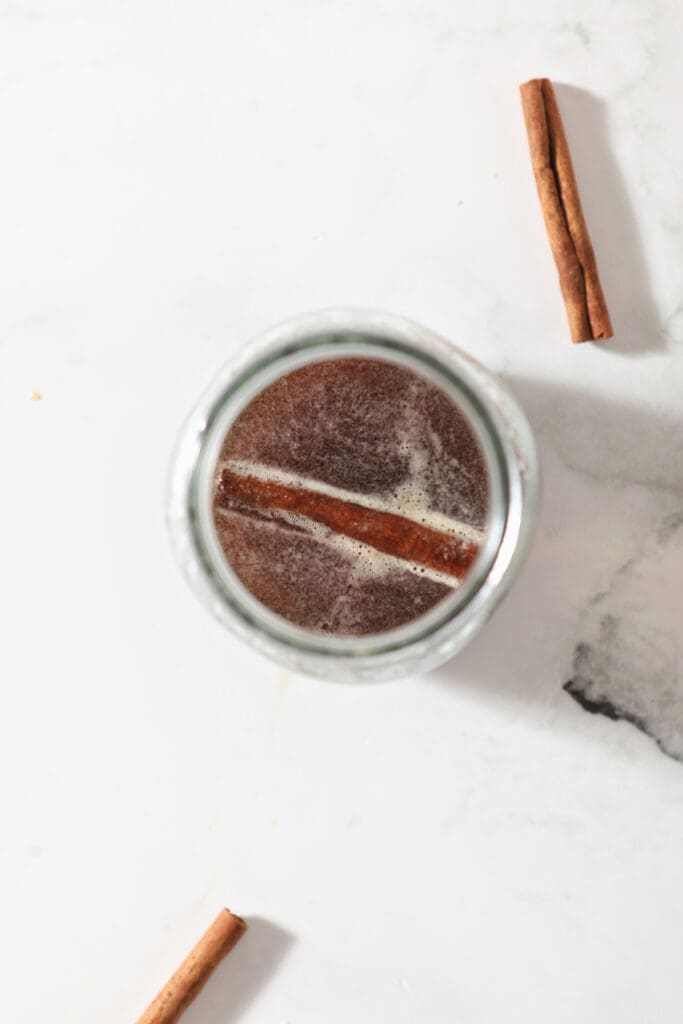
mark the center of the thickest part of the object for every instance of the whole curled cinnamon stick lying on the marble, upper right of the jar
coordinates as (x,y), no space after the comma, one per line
(570,241)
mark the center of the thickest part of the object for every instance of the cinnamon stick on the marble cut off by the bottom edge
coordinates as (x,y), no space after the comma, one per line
(193,974)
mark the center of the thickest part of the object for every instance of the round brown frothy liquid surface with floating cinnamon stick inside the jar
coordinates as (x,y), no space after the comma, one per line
(351,497)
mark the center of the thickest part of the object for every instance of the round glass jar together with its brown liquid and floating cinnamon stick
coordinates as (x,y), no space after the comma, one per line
(354,495)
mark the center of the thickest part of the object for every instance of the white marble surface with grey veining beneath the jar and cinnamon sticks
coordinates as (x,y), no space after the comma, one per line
(472,846)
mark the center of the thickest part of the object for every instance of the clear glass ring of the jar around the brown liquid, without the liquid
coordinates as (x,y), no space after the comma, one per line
(510,456)
